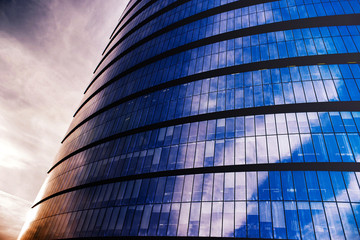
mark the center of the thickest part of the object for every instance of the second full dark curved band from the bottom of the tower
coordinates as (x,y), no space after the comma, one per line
(284,108)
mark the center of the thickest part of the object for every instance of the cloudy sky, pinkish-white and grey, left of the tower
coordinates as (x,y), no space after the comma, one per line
(48,51)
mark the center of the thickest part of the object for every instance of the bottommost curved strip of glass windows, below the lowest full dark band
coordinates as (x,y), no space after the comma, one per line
(286,204)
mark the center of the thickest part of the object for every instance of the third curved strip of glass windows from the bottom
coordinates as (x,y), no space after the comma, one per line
(225,99)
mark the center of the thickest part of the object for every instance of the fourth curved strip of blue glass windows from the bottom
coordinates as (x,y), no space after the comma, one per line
(243,50)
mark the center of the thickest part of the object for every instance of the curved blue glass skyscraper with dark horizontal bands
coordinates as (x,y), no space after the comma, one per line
(215,118)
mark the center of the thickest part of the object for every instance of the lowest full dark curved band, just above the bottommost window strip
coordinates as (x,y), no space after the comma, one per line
(304,166)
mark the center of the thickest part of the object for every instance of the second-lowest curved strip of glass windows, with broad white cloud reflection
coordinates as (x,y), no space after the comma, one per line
(279,138)
